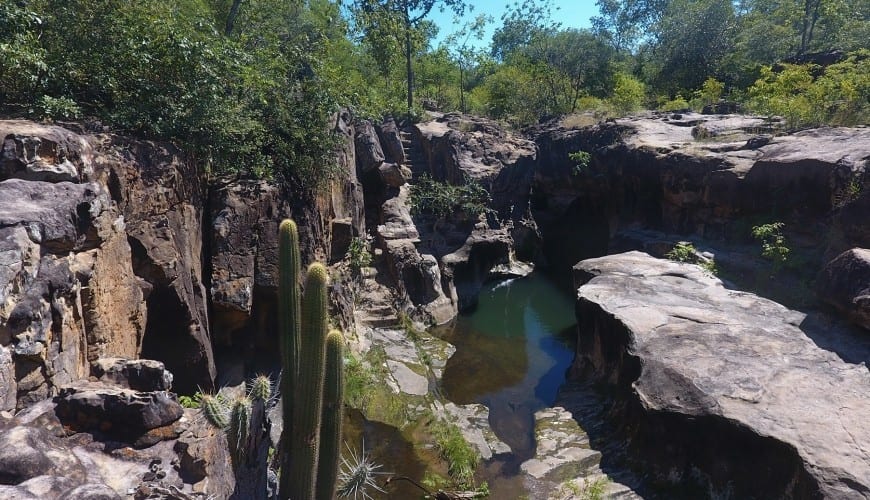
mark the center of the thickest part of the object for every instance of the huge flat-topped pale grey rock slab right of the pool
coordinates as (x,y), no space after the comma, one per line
(694,352)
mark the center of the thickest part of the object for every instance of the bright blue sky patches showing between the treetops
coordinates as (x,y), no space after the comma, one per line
(570,13)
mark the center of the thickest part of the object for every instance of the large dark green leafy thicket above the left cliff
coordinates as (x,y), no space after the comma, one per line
(168,70)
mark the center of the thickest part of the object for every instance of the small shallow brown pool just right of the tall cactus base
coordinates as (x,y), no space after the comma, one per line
(387,447)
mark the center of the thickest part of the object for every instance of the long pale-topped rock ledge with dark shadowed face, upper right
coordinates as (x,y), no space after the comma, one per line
(690,174)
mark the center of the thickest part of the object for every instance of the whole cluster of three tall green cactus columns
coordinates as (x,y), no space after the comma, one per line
(303,328)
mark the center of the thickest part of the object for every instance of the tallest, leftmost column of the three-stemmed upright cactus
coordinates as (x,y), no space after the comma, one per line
(289,320)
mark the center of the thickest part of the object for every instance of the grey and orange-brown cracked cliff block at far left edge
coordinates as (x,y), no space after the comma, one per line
(68,293)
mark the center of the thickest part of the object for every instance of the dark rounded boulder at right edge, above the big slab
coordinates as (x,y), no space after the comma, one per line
(845,284)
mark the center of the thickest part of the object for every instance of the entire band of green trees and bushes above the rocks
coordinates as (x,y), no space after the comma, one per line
(252,84)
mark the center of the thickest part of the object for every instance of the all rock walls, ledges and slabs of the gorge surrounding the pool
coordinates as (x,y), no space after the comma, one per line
(116,251)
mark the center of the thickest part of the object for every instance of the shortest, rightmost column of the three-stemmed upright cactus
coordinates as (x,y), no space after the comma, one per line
(330,425)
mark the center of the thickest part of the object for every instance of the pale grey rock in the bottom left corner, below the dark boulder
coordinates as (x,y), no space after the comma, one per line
(40,457)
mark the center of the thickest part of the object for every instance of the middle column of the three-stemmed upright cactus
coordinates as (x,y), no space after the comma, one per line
(309,391)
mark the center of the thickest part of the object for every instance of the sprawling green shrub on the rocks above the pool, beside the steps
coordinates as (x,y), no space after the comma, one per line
(444,200)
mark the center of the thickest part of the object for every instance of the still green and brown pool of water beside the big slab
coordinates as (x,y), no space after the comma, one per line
(511,357)
